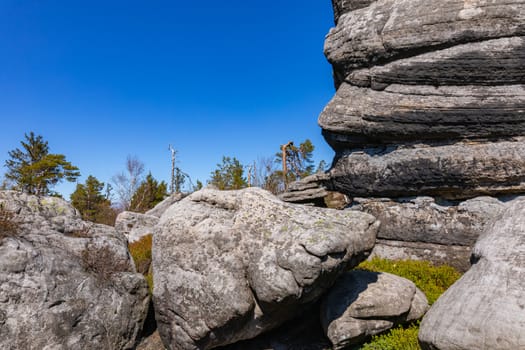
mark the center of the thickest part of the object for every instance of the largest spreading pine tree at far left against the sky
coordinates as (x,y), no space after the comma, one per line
(34,170)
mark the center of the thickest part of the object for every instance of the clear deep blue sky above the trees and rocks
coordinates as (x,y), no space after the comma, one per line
(100,80)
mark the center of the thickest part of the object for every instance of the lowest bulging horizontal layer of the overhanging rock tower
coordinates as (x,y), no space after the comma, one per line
(462,170)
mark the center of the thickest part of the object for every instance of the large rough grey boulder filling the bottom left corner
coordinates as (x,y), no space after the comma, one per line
(66,283)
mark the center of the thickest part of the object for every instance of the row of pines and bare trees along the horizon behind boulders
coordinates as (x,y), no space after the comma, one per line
(34,170)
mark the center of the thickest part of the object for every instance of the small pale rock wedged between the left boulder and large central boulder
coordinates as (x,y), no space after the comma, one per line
(135,225)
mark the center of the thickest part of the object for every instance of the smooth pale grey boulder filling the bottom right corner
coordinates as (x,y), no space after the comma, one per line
(484,309)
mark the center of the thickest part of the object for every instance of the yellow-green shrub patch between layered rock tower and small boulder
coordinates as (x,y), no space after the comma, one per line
(432,280)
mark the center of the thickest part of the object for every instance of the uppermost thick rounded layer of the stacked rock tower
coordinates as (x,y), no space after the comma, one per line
(391,29)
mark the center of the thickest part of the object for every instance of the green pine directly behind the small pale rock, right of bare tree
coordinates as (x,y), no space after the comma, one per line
(148,194)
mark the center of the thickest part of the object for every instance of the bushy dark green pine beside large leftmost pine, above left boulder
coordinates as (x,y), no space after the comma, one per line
(90,201)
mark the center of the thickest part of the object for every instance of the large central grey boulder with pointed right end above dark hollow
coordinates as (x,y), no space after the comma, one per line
(234,264)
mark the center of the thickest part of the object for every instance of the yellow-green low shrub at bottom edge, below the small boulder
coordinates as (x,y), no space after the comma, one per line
(396,339)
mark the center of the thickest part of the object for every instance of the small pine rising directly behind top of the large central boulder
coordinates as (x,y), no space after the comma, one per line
(229,175)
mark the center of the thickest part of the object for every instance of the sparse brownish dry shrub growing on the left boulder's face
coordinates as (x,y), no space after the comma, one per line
(103,262)
